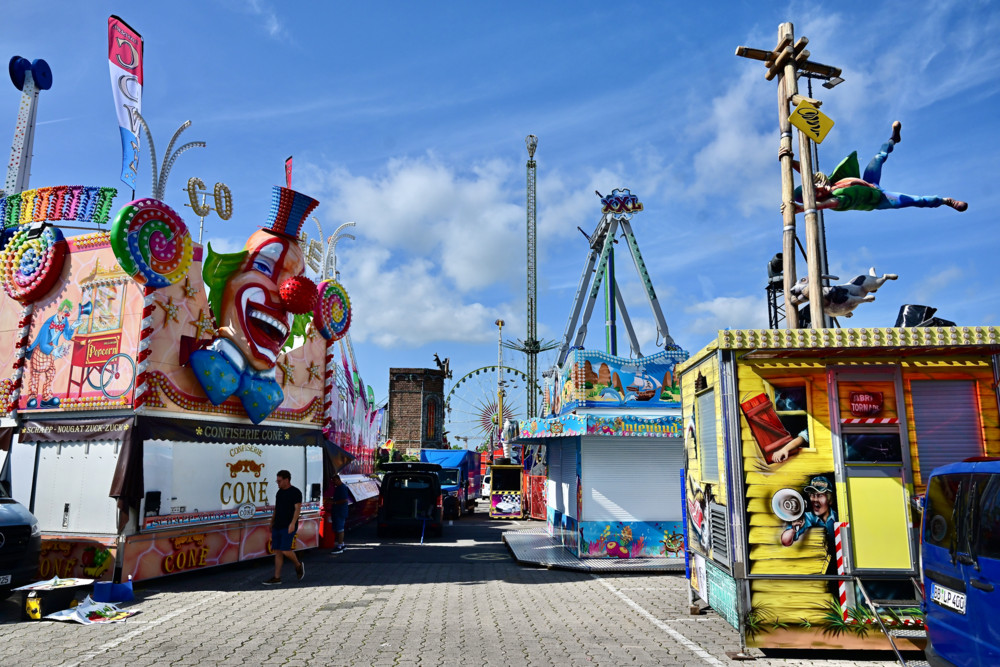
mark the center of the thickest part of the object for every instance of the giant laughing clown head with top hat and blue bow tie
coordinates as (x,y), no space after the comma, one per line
(253,295)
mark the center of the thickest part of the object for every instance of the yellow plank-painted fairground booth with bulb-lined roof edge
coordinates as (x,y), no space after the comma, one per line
(805,449)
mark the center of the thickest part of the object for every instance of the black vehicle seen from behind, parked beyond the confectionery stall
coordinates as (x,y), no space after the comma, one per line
(410,497)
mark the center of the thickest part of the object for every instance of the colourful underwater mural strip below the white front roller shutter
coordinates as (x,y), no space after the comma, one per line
(631,539)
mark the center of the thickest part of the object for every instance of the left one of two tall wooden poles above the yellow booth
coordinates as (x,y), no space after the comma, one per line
(785,32)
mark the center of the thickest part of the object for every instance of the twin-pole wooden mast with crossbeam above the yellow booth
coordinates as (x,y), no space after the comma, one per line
(784,62)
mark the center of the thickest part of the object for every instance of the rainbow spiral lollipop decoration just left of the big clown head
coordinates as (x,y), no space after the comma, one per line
(152,243)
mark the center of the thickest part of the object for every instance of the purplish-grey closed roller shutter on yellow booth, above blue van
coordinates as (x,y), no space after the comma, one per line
(946,420)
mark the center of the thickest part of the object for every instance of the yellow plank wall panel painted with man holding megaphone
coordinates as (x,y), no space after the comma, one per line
(794,517)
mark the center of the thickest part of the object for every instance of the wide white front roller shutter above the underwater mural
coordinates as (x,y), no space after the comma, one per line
(632,479)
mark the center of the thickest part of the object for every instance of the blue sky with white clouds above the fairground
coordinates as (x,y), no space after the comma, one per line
(409,118)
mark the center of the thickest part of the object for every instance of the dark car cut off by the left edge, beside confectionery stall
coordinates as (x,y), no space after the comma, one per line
(20,544)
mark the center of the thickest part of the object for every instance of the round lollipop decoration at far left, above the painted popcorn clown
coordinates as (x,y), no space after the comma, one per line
(31,262)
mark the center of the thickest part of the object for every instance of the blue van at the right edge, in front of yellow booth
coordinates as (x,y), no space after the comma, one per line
(960,549)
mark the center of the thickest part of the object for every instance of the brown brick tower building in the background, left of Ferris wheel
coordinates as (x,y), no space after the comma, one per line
(416,408)
